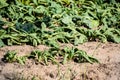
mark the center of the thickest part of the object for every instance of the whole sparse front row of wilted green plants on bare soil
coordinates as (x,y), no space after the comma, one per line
(51,55)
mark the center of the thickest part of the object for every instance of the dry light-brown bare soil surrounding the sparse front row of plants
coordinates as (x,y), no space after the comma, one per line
(107,53)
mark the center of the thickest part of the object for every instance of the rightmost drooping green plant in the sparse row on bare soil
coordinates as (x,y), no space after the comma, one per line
(77,55)
